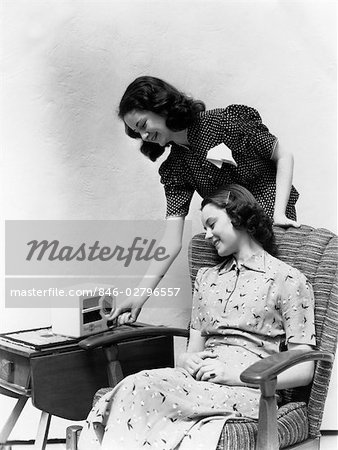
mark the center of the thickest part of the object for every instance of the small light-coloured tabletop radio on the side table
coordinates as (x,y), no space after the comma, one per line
(88,313)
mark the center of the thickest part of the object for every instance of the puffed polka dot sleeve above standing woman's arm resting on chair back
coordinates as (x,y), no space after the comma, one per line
(244,130)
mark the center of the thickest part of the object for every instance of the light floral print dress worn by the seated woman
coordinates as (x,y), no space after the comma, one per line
(245,313)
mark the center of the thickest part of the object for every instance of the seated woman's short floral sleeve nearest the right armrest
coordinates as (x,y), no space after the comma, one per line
(297,309)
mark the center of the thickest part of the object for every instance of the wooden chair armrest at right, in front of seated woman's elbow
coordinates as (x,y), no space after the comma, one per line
(268,368)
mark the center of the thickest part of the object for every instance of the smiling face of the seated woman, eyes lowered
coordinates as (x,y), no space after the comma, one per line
(220,230)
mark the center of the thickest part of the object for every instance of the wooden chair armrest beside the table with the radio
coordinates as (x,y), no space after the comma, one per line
(129,332)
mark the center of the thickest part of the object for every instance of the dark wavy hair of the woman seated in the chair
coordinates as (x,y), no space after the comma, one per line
(245,213)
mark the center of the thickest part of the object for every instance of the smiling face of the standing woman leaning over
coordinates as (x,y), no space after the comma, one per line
(150,126)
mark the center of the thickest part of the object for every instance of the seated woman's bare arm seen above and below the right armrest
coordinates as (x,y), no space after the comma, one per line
(299,375)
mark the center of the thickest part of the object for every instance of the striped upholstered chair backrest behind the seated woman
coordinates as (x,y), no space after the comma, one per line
(313,252)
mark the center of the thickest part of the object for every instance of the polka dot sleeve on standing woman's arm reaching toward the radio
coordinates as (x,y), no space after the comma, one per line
(177,191)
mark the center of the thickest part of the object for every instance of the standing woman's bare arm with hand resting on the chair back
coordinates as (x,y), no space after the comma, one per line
(284,165)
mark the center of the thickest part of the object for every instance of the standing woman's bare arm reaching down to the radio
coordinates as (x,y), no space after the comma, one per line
(130,308)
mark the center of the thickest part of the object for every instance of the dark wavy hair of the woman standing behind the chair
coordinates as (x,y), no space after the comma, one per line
(153,94)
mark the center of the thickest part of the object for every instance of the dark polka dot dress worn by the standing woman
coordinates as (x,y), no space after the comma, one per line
(240,127)
